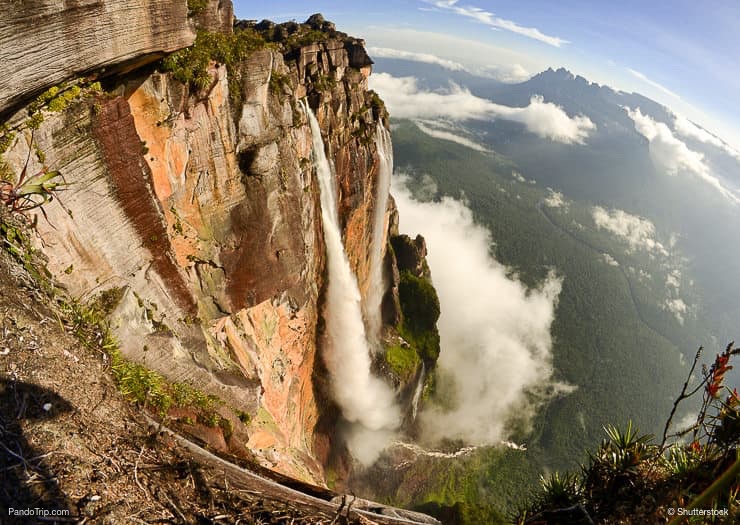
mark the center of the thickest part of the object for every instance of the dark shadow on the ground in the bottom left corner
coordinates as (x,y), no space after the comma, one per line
(26,481)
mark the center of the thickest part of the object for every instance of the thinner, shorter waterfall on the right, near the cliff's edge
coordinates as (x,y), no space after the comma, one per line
(376,283)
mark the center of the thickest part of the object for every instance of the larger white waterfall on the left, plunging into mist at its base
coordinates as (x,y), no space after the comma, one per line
(366,401)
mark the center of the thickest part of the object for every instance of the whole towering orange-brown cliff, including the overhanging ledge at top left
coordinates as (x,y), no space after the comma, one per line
(190,196)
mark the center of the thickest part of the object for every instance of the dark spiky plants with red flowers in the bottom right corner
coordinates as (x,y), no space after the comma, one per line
(632,479)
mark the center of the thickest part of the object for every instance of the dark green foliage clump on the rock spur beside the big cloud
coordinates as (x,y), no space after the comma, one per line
(420,311)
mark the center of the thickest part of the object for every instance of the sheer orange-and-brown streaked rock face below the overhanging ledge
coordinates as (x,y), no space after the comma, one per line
(208,217)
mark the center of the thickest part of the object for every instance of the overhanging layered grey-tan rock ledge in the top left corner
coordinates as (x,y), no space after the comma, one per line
(43,42)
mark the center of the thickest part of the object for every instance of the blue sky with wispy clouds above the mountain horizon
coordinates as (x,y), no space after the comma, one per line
(682,53)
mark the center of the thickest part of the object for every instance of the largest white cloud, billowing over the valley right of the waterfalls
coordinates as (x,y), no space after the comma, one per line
(495,333)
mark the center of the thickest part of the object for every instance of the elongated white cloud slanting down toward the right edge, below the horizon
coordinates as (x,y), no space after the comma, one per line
(672,154)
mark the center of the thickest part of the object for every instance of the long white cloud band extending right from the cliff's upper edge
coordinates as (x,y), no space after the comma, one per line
(406,100)
